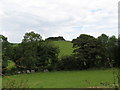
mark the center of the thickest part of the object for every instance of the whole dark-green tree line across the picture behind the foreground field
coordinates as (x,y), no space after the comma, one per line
(34,53)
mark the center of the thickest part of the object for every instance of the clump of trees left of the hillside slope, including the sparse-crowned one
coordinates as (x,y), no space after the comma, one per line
(34,53)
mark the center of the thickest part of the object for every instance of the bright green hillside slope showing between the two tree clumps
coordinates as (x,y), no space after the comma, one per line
(65,47)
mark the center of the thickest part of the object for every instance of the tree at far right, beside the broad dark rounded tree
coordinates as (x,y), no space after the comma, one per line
(109,50)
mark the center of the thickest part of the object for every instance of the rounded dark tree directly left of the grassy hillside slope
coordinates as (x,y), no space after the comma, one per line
(47,56)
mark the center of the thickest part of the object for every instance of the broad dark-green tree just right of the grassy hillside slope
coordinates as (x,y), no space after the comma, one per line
(86,50)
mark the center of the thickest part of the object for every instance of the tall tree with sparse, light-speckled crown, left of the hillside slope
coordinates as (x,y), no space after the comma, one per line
(29,50)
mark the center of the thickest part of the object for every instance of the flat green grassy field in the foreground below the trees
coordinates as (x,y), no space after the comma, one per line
(64,79)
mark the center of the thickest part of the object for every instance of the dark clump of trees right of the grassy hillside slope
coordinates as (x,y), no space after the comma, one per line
(96,52)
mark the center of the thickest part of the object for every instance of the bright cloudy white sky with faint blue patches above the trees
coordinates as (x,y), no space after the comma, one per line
(52,18)
